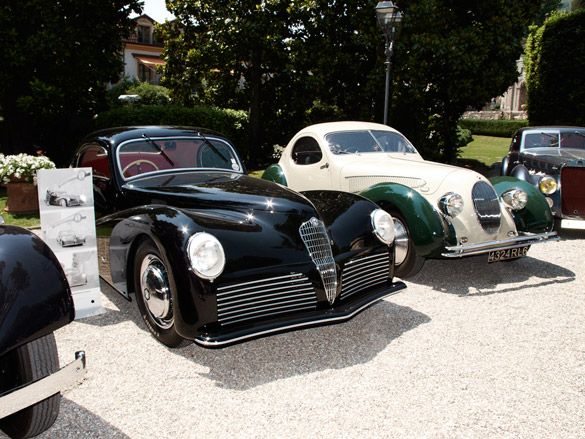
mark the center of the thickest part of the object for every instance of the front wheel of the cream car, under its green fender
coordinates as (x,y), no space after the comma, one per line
(406,262)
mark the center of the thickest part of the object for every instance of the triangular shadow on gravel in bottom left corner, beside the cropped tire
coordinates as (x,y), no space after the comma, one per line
(74,422)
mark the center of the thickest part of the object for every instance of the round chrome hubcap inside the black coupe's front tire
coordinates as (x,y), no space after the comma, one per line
(154,285)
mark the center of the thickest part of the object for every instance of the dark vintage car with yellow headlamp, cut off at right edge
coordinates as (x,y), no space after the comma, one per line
(553,159)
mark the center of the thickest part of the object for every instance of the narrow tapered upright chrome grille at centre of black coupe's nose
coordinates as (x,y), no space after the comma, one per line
(315,237)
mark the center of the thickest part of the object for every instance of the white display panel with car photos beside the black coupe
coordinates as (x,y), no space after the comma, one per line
(68,227)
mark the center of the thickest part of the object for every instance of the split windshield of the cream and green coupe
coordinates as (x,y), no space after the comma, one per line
(350,142)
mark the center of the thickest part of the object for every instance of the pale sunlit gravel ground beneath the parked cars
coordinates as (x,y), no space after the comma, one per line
(468,350)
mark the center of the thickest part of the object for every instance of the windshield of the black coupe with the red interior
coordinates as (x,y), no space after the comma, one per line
(148,155)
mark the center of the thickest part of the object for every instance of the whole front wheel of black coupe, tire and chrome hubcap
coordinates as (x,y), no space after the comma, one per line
(152,283)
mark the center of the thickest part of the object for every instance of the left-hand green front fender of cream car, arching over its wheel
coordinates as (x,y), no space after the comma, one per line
(429,232)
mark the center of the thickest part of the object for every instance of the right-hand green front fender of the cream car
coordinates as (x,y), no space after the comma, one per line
(536,217)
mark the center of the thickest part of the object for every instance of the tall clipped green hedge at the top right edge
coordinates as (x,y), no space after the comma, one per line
(555,62)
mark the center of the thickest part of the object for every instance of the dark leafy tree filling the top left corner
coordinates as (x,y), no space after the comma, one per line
(58,57)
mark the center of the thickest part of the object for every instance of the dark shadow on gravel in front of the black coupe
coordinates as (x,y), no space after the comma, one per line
(265,360)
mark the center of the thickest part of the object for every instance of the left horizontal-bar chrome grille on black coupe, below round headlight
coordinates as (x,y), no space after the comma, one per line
(265,298)
